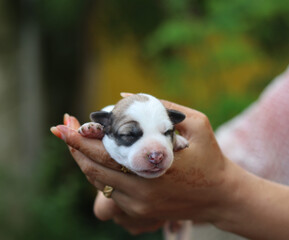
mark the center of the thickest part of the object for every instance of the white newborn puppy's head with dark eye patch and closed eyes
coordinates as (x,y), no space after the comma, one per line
(139,134)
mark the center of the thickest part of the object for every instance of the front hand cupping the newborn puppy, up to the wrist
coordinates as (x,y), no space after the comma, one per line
(190,189)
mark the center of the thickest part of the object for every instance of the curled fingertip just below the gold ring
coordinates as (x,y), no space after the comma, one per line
(104,208)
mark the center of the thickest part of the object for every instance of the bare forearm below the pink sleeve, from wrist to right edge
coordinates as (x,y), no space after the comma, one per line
(255,208)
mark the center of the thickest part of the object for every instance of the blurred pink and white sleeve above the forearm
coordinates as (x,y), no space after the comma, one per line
(258,139)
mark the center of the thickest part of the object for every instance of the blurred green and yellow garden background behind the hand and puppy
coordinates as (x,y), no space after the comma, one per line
(75,56)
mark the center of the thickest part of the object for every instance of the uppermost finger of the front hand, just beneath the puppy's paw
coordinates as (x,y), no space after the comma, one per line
(92,148)
